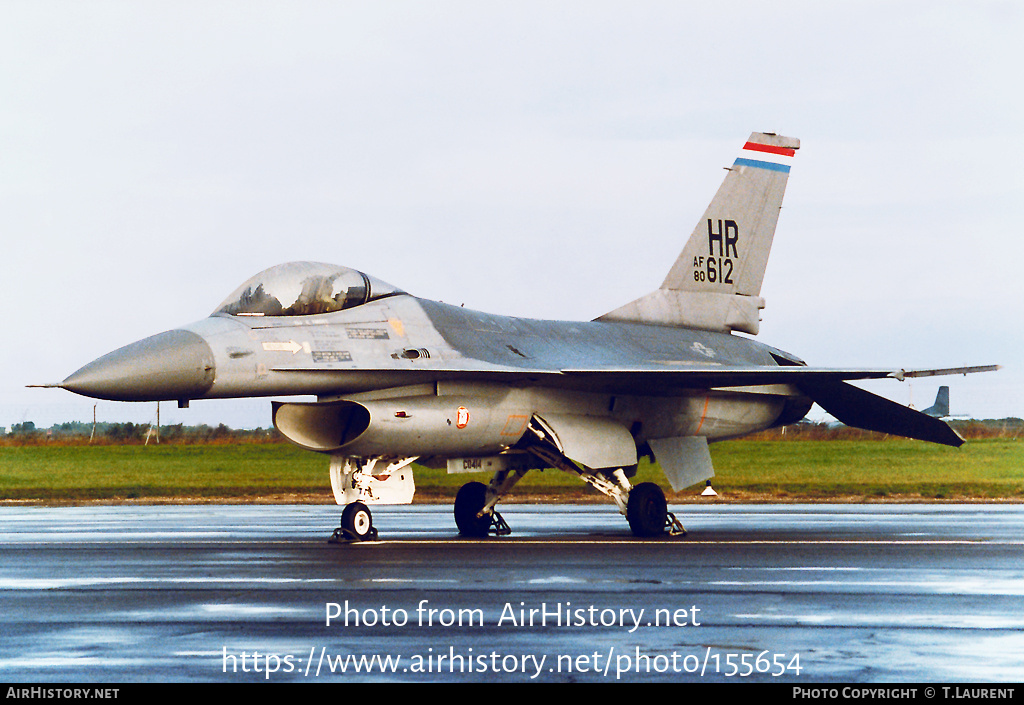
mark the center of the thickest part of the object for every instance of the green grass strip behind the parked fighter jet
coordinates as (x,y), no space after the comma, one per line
(746,471)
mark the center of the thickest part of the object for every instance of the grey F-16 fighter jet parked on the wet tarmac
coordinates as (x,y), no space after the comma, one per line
(400,380)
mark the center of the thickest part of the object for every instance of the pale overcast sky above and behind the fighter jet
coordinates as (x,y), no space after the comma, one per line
(536,159)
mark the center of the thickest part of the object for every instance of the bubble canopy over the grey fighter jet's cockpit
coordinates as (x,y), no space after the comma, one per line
(305,289)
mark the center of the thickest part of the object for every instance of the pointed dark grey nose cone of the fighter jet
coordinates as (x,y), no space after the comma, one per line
(177,364)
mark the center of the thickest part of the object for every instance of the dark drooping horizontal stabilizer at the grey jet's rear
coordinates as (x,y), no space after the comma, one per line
(861,409)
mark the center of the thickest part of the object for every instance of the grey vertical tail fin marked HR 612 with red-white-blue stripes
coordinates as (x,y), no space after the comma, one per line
(716,282)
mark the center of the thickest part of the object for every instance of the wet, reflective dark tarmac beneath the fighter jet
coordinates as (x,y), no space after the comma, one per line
(795,594)
